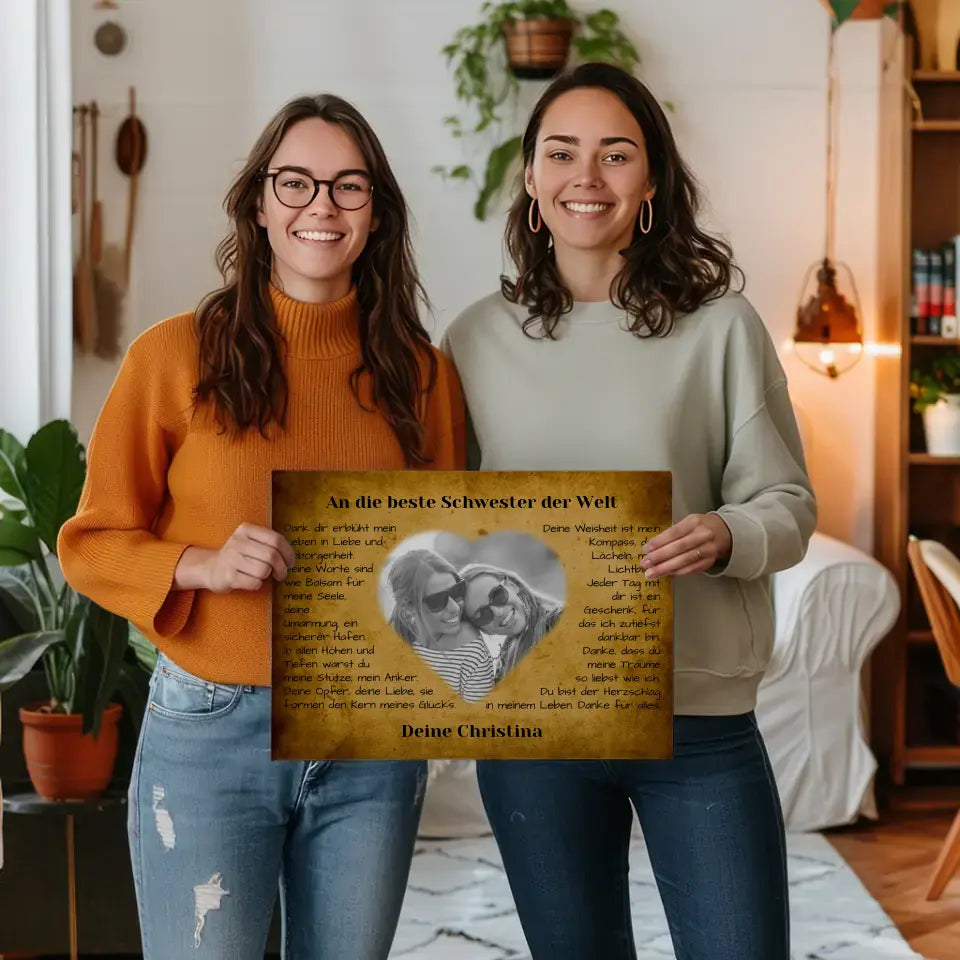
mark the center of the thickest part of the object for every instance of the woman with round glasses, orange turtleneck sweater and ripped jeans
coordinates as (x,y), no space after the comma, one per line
(310,356)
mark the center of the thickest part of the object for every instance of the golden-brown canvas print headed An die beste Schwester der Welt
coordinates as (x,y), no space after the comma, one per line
(459,614)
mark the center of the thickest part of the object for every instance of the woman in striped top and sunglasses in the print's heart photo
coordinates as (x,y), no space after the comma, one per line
(428,614)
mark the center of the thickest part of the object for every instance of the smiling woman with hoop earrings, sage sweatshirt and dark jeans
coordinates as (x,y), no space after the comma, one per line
(620,344)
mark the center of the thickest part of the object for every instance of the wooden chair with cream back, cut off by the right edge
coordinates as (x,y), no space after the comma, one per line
(937,571)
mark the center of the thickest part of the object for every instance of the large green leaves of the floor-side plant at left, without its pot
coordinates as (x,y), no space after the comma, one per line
(88,654)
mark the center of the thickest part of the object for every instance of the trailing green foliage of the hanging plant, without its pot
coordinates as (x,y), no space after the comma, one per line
(484,84)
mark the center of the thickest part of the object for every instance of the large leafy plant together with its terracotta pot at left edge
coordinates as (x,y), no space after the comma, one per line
(88,654)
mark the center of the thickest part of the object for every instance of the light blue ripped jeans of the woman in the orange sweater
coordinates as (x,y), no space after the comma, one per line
(214,826)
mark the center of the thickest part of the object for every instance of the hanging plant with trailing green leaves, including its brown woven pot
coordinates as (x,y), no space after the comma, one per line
(520,40)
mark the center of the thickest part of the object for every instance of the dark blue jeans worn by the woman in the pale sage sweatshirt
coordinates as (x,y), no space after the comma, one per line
(713,828)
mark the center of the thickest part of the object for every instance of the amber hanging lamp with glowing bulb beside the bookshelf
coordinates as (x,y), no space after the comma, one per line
(828,338)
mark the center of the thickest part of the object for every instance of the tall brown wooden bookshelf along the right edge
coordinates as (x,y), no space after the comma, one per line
(915,723)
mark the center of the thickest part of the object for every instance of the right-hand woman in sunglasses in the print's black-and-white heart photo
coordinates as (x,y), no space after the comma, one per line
(500,603)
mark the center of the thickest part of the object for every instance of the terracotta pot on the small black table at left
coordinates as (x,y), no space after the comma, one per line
(63,763)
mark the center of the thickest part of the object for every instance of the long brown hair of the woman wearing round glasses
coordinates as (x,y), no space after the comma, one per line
(241,369)
